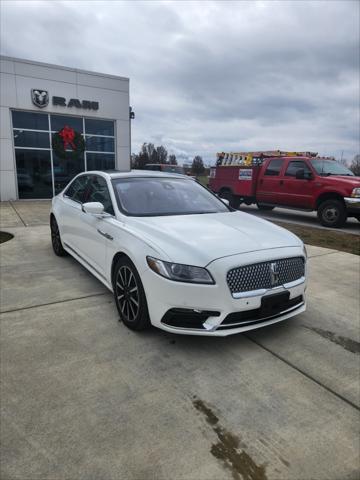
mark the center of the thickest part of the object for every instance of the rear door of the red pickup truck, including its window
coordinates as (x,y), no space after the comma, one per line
(269,182)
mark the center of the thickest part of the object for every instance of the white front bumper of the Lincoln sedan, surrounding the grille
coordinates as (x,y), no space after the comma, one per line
(206,308)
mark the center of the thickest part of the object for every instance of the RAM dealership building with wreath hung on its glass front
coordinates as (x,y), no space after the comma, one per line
(57,122)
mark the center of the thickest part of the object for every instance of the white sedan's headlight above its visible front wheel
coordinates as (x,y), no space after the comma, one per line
(179,272)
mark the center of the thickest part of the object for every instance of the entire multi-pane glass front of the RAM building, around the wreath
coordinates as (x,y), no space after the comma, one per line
(34,155)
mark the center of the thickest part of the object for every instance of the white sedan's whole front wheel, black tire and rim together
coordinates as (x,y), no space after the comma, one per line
(129,294)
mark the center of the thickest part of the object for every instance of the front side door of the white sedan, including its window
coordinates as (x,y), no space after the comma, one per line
(92,238)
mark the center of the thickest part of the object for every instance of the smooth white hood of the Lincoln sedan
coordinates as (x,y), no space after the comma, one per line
(200,239)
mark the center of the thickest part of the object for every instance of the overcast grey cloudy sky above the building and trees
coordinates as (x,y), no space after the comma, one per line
(211,76)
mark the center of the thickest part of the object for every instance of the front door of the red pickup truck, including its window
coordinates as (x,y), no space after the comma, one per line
(297,192)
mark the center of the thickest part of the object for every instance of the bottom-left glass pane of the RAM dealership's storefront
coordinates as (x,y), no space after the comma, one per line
(33,169)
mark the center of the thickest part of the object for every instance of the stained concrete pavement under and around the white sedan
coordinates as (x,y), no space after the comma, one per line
(83,397)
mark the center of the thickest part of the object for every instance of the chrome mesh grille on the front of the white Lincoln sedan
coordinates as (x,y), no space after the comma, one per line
(265,274)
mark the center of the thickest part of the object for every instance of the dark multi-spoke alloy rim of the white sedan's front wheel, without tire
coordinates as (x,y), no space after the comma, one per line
(127,293)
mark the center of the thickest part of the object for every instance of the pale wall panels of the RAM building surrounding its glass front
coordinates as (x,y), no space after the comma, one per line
(18,77)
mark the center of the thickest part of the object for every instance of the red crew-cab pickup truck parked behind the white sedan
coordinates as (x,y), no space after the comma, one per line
(304,183)
